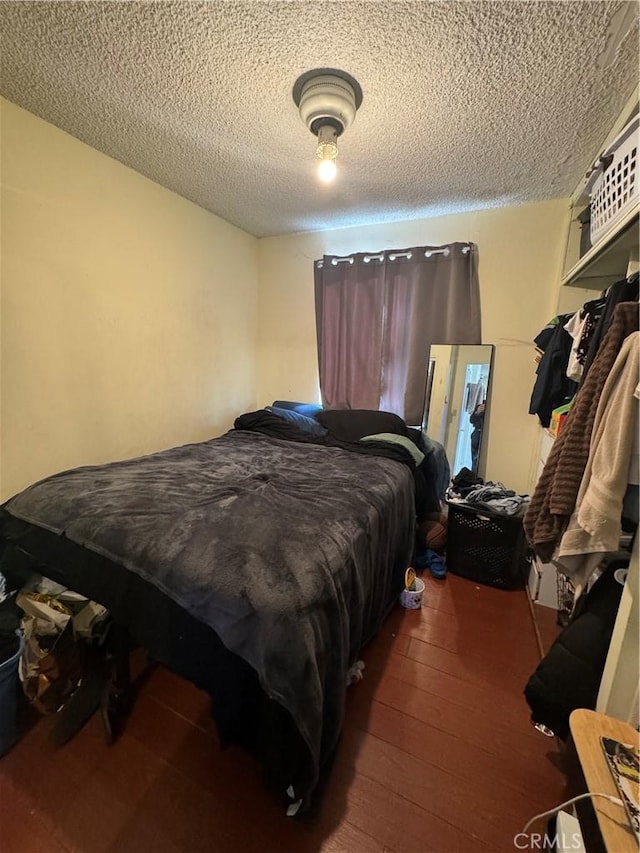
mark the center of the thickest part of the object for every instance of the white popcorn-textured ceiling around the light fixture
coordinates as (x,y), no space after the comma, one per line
(466,104)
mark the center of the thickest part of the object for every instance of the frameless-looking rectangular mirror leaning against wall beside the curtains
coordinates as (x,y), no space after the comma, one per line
(456,399)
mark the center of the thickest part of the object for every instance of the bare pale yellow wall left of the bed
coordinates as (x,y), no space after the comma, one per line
(129,315)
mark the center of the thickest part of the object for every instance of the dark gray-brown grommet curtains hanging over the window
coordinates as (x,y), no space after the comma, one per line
(377,316)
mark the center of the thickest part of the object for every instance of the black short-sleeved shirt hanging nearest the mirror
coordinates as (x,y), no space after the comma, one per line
(552,387)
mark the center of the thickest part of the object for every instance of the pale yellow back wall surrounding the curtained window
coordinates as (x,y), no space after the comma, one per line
(520,252)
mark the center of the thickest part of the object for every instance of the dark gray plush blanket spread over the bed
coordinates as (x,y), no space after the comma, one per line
(285,549)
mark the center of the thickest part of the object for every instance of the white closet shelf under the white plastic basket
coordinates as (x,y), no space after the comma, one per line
(607,261)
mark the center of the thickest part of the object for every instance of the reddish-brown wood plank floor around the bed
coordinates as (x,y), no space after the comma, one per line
(437,754)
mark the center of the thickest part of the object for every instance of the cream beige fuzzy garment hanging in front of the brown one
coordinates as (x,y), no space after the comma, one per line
(595,526)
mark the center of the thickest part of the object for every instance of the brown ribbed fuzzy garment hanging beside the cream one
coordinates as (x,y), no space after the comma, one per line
(554,498)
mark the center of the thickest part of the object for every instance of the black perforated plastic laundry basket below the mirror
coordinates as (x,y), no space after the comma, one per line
(486,547)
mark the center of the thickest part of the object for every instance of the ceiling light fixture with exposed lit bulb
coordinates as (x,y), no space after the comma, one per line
(327,100)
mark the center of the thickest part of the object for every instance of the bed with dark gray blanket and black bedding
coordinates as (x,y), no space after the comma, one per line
(256,565)
